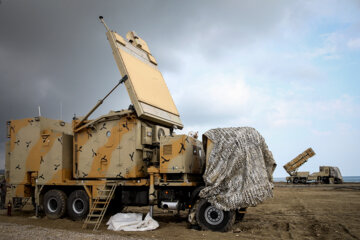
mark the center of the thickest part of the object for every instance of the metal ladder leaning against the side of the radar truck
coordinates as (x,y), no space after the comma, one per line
(99,206)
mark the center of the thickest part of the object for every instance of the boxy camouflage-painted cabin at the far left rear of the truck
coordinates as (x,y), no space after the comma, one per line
(38,153)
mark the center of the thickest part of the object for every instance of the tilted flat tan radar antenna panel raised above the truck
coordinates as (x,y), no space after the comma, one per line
(146,86)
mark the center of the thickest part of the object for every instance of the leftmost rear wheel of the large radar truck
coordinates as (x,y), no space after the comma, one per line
(54,204)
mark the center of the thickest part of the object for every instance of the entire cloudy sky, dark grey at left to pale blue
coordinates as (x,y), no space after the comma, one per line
(288,68)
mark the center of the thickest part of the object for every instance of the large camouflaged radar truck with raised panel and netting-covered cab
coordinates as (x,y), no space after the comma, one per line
(134,158)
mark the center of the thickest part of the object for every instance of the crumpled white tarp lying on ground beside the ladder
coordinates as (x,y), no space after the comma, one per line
(131,222)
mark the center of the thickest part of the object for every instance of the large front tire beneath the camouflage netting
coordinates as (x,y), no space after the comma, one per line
(211,218)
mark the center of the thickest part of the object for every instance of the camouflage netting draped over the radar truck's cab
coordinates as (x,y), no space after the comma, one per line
(239,169)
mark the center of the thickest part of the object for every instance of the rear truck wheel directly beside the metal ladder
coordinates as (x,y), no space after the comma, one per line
(78,205)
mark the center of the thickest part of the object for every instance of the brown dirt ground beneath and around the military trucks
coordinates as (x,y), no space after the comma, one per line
(295,212)
